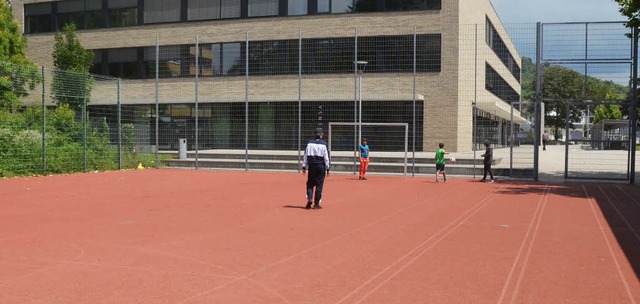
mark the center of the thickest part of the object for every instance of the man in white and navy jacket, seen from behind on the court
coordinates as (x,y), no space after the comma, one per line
(316,159)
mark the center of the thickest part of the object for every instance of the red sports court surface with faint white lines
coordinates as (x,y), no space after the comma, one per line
(178,236)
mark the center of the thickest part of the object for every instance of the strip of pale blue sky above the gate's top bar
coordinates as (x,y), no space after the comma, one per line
(532,11)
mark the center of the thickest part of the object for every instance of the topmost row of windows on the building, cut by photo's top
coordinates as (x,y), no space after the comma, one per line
(91,14)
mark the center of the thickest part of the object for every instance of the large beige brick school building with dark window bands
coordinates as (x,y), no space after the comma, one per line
(428,61)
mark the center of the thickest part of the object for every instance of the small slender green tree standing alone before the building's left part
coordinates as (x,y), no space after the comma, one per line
(71,81)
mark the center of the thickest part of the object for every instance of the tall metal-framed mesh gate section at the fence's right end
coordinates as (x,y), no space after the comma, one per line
(584,75)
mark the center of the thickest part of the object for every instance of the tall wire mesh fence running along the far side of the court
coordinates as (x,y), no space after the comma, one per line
(242,101)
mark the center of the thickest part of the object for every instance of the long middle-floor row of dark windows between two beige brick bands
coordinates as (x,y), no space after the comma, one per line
(281,57)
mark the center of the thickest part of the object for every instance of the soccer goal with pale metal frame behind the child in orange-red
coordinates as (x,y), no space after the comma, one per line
(393,138)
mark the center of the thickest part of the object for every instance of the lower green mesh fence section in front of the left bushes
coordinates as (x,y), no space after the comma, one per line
(56,121)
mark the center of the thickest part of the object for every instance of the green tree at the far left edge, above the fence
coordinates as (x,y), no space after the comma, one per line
(16,70)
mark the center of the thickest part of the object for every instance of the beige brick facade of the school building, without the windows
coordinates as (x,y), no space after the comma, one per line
(447,95)
